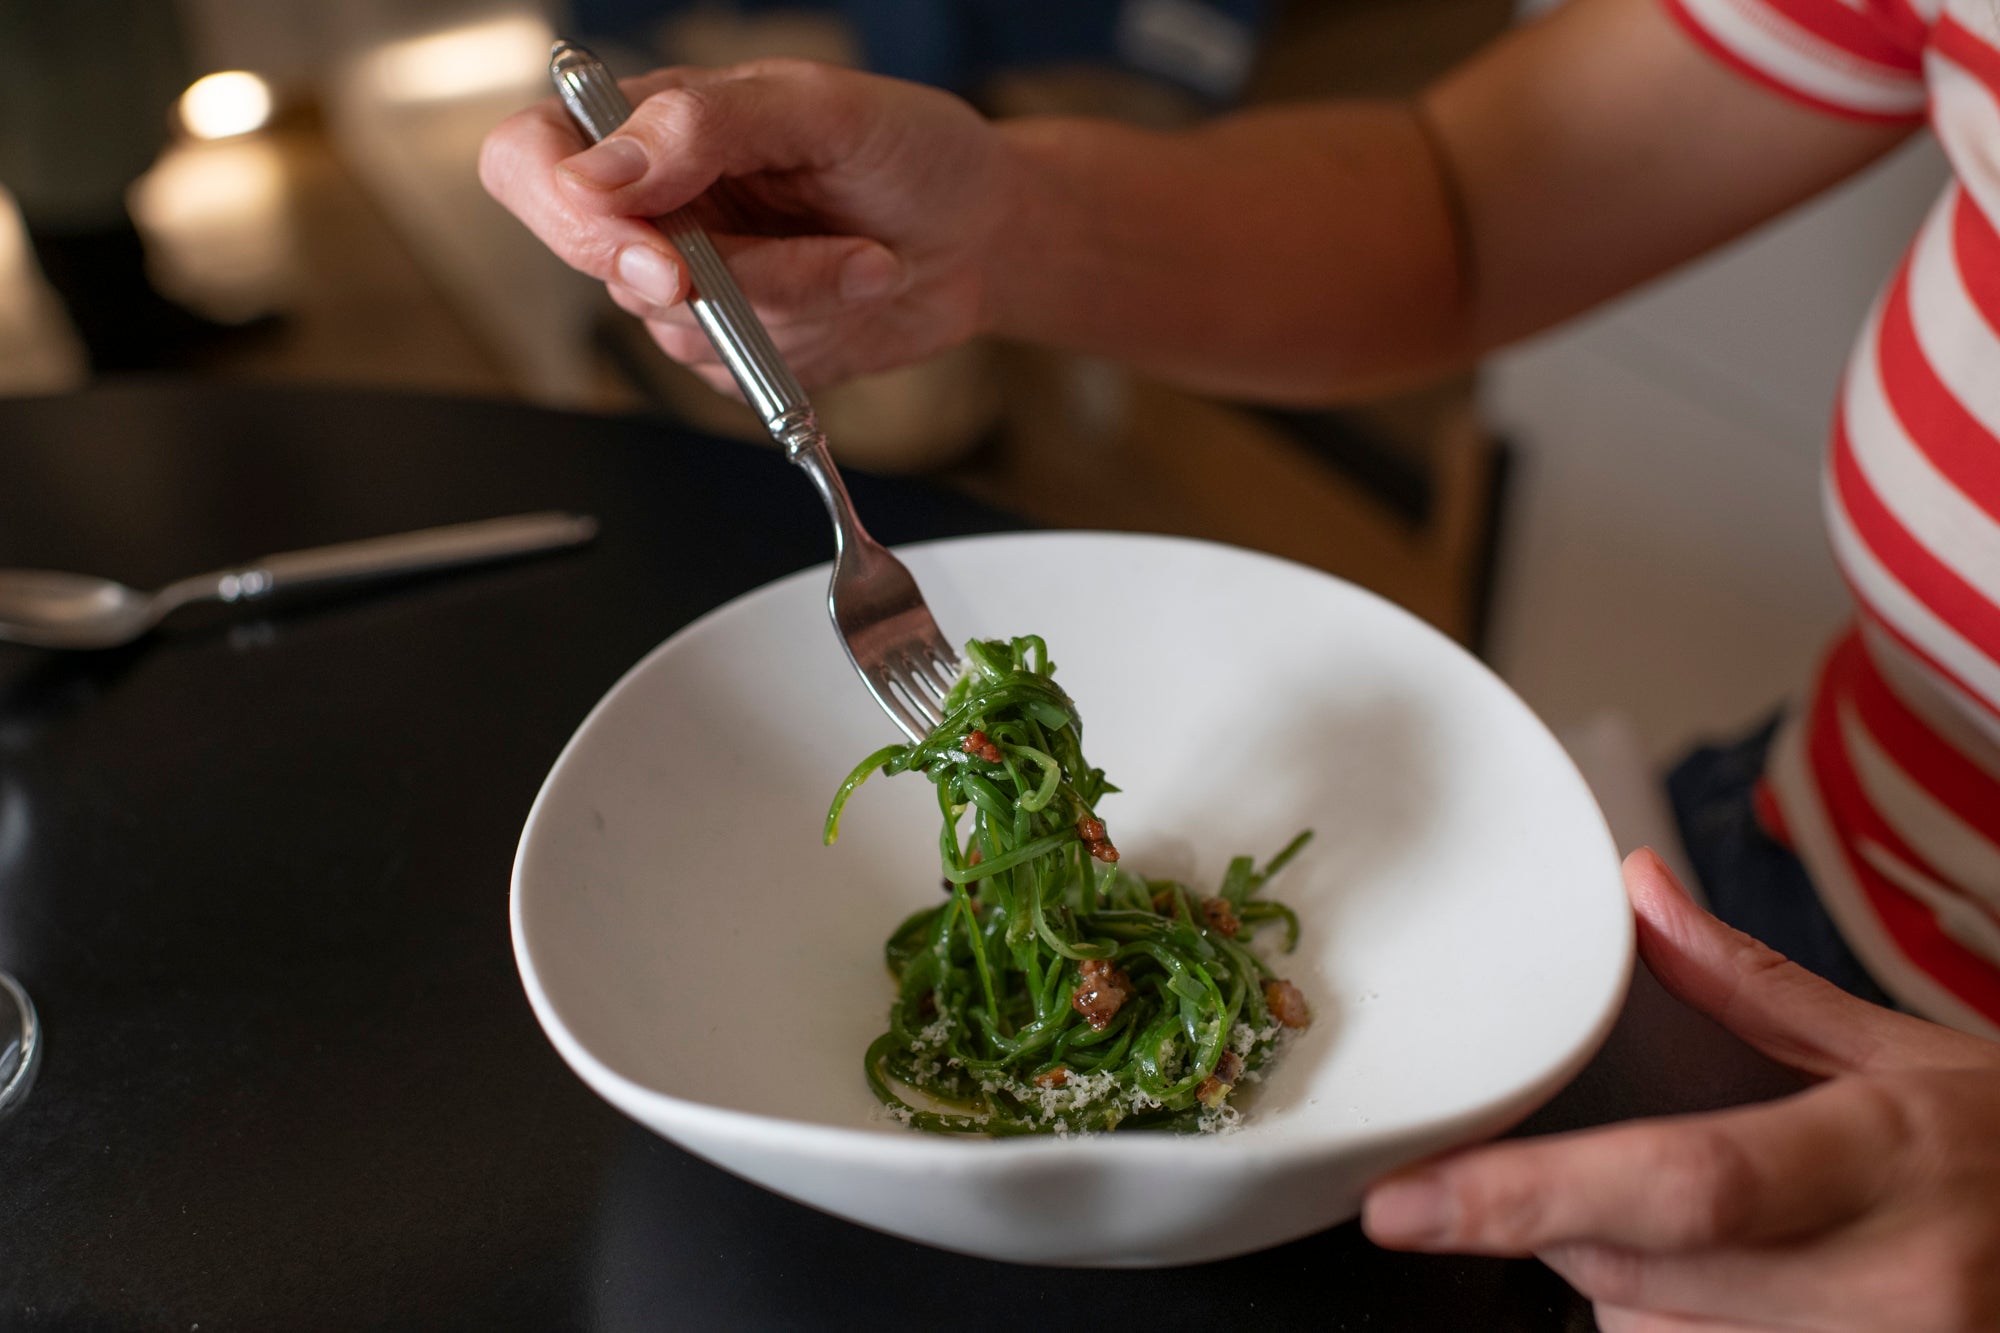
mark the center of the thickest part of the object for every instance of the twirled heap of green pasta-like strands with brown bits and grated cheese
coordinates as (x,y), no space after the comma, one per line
(1055,992)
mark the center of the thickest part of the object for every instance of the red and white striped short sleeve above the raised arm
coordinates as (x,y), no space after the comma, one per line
(1859,59)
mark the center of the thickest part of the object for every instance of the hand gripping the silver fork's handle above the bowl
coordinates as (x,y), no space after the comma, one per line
(853,211)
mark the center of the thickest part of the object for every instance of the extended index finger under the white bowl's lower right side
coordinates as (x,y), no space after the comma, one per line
(1747,1176)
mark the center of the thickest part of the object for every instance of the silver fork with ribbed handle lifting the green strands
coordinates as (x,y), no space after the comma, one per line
(881,617)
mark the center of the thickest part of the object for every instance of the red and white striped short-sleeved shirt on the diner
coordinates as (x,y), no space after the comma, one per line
(1889,782)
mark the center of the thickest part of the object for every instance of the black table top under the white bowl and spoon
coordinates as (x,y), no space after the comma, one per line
(255,876)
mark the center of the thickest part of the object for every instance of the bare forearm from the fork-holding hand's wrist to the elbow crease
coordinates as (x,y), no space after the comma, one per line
(1293,255)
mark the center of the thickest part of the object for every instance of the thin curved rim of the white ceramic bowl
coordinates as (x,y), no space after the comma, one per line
(873,1148)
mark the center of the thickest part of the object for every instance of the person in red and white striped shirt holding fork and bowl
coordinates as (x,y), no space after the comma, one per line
(1333,251)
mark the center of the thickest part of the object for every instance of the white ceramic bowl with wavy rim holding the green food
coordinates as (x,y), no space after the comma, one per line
(713,972)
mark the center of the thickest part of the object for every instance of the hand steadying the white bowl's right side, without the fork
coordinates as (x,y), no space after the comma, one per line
(1869,1202)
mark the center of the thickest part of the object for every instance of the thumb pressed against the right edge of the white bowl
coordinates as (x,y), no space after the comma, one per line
(1779,1008)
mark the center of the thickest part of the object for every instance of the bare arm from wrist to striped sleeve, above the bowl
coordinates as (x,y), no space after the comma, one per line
(1331,251)
